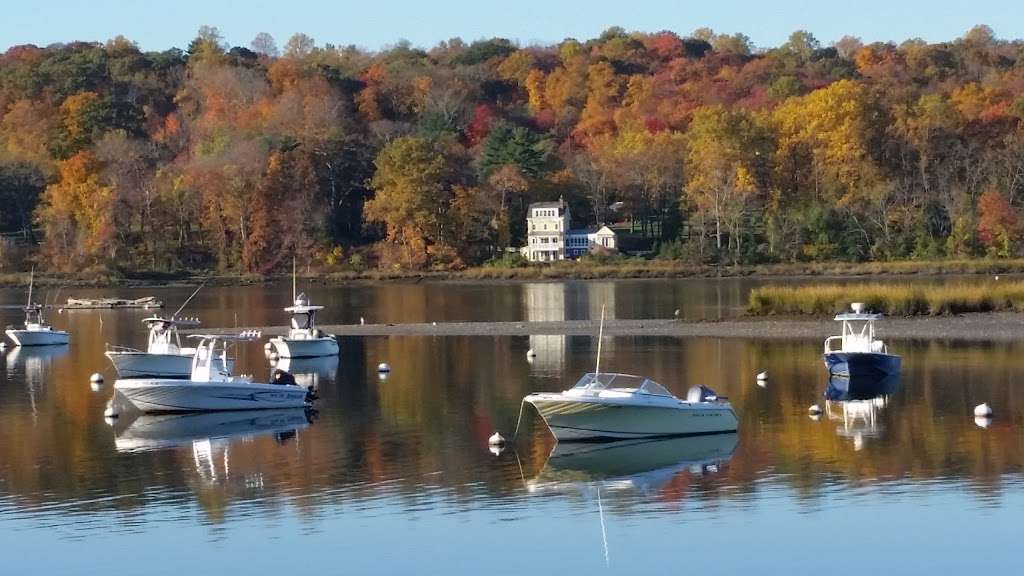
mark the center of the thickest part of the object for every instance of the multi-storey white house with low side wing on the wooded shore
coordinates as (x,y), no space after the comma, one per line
(549,237)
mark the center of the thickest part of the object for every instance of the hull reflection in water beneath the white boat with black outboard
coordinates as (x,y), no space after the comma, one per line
(160,432)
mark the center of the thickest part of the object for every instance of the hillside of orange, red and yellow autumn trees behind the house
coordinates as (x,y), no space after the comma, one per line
(236,158)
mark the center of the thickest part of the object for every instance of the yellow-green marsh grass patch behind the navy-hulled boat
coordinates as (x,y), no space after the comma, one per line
(895,300)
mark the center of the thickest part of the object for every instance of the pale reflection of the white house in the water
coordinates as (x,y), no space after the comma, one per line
(559,302)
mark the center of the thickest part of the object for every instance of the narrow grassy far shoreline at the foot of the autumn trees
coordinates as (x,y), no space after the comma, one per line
(616,270)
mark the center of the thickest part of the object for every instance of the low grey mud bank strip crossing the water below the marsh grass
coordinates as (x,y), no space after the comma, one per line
(999,327)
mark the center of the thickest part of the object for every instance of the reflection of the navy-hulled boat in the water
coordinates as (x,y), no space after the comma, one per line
(858,403)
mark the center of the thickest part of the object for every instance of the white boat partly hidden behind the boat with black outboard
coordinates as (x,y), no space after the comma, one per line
(164,356)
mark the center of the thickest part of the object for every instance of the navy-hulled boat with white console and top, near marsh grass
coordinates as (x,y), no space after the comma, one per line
(861,354)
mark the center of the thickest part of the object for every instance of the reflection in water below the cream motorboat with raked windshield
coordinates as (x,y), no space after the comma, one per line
(646,466)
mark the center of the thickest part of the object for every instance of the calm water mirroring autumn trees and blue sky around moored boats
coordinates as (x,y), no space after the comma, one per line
(396,477)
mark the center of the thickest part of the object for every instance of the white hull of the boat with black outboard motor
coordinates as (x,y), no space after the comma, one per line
(189,396)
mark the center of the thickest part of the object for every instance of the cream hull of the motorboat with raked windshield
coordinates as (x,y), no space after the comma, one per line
(592,420)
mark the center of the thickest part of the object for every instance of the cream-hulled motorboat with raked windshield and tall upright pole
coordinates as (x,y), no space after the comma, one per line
(609,406)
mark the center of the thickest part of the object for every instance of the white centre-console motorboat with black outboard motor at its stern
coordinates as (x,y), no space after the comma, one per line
(211,388)
